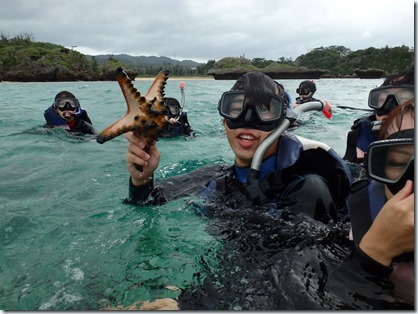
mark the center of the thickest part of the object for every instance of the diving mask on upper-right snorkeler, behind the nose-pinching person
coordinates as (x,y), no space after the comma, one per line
(384,99)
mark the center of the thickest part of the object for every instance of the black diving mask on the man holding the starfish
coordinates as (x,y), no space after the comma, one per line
(240,112)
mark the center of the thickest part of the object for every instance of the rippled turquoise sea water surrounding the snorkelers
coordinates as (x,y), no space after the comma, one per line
(67,240)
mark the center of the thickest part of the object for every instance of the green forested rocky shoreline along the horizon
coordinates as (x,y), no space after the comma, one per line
(24,60)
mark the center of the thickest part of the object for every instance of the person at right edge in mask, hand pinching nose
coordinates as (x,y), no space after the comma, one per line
(382,209)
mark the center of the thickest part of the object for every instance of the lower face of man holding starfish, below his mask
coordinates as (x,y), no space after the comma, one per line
(244,143)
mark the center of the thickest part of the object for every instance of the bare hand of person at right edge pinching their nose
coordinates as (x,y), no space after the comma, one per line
(392,232)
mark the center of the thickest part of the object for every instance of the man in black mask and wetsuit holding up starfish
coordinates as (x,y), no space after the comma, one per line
(292,167)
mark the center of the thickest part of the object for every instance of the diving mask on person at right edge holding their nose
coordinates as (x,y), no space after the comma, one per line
(391,162)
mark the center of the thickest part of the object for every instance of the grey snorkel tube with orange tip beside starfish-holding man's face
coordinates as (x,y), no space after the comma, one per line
(256,188)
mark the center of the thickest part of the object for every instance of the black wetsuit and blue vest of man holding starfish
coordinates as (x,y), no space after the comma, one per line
(315,179)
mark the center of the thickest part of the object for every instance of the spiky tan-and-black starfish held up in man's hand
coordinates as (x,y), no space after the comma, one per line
(145,115)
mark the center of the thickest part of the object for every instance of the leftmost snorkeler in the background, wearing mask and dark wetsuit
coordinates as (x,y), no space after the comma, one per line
(67,113)
